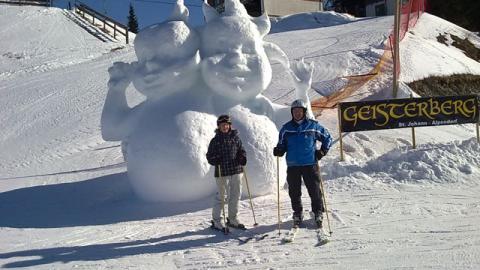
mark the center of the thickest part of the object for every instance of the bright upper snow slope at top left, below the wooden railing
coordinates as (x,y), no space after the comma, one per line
(45,39)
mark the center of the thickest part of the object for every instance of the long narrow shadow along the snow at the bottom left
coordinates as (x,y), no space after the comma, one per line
(97,252)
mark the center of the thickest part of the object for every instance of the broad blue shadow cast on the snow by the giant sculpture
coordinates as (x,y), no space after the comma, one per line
(103,200)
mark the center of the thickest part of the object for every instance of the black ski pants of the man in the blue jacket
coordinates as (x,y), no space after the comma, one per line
(310,175)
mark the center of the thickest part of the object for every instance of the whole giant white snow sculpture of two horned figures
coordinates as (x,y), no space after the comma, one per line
(189,76)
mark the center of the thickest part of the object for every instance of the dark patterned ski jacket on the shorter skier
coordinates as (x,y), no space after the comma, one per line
(226,151)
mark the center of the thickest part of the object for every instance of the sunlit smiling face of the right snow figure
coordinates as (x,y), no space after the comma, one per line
(234,63)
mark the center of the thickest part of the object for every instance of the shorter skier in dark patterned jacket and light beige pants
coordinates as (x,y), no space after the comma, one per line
(227,154)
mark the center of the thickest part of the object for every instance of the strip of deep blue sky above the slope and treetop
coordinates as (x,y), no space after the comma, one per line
(148,11)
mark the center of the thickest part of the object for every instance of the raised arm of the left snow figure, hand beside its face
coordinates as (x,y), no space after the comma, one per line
(116,112)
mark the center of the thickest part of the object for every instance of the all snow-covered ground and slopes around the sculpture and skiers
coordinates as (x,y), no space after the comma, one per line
(65,201)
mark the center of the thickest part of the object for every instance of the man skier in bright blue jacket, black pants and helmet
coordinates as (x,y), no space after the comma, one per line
(298,138)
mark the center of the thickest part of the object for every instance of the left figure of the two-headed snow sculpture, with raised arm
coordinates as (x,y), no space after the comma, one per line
(165,138)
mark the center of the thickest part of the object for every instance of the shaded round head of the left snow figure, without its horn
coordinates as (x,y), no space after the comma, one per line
(167,59)
